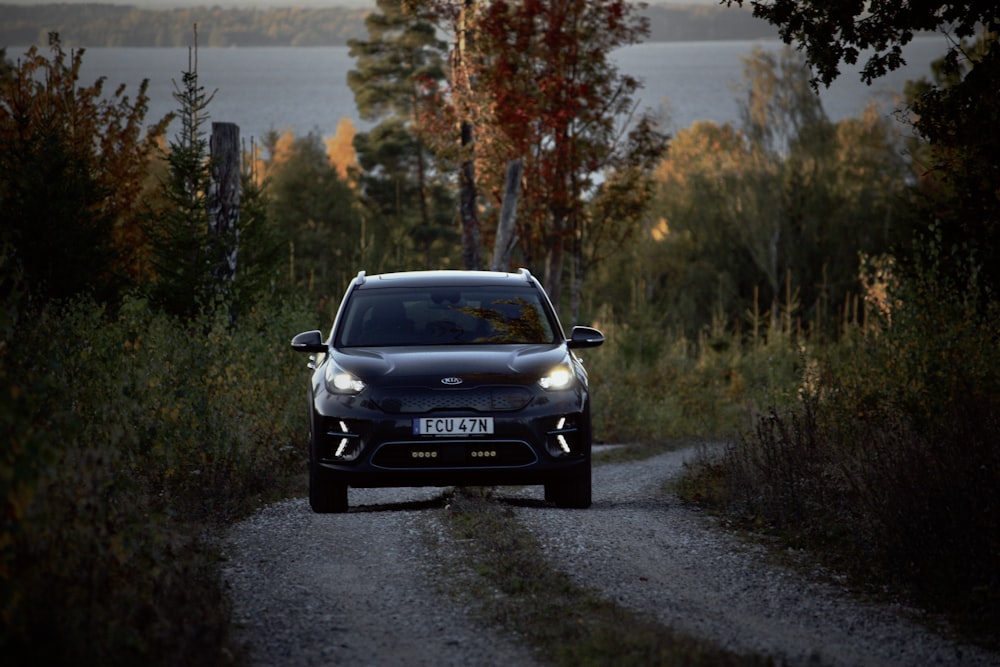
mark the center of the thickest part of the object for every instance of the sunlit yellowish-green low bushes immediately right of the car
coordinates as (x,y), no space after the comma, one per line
(650,384)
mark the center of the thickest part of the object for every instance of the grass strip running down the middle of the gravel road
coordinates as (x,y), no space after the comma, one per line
(512,584)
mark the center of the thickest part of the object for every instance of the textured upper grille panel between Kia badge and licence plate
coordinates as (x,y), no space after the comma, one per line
(417,400)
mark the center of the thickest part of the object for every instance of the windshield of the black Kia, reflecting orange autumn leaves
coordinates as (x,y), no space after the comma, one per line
(444,316)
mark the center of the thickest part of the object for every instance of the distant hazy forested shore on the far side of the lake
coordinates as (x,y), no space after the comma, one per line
(119,25)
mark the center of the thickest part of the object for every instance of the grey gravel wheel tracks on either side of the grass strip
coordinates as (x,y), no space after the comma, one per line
(359,588)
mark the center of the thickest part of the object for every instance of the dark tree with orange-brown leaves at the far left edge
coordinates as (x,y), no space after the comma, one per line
(73,161)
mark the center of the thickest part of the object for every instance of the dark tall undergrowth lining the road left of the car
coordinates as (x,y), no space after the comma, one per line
(129,435)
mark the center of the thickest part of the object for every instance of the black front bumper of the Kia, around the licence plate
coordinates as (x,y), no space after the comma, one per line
(356,443)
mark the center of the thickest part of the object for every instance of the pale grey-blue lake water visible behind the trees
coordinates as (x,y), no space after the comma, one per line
(305,89)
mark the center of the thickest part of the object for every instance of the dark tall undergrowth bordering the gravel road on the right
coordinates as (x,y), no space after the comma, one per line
(887,466)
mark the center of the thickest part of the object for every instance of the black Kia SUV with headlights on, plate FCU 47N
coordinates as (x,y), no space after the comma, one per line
(448,378)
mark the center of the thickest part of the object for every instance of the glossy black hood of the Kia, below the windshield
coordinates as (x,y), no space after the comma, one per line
(474,365)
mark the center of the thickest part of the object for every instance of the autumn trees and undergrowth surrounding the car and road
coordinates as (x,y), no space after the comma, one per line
(820,296)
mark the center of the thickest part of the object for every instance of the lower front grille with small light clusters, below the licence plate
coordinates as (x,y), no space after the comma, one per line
(465,454)
